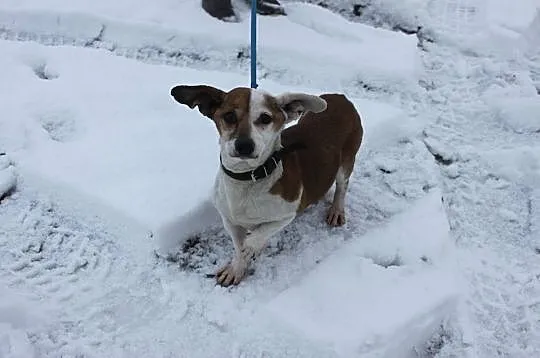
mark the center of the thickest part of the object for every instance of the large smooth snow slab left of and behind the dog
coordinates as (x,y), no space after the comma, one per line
(106,127)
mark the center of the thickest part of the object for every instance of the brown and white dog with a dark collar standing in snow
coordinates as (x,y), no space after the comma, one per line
(270,173)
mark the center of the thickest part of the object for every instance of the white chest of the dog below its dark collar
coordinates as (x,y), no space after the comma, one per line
(250,204)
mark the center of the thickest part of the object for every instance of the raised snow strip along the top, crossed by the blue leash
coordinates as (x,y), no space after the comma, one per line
(295,48)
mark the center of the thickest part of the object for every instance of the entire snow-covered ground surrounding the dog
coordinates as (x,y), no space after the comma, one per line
(93,158)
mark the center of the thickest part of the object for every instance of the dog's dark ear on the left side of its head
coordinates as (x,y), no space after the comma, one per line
(207,98)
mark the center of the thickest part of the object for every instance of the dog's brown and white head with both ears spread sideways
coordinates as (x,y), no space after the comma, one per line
(249,121)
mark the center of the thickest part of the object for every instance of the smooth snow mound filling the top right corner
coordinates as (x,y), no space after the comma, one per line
(476,25)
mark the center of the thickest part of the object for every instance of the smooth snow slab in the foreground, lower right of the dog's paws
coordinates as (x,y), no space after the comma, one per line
(356,306)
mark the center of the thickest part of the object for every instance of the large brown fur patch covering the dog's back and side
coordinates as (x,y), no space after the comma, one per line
(330,141)
